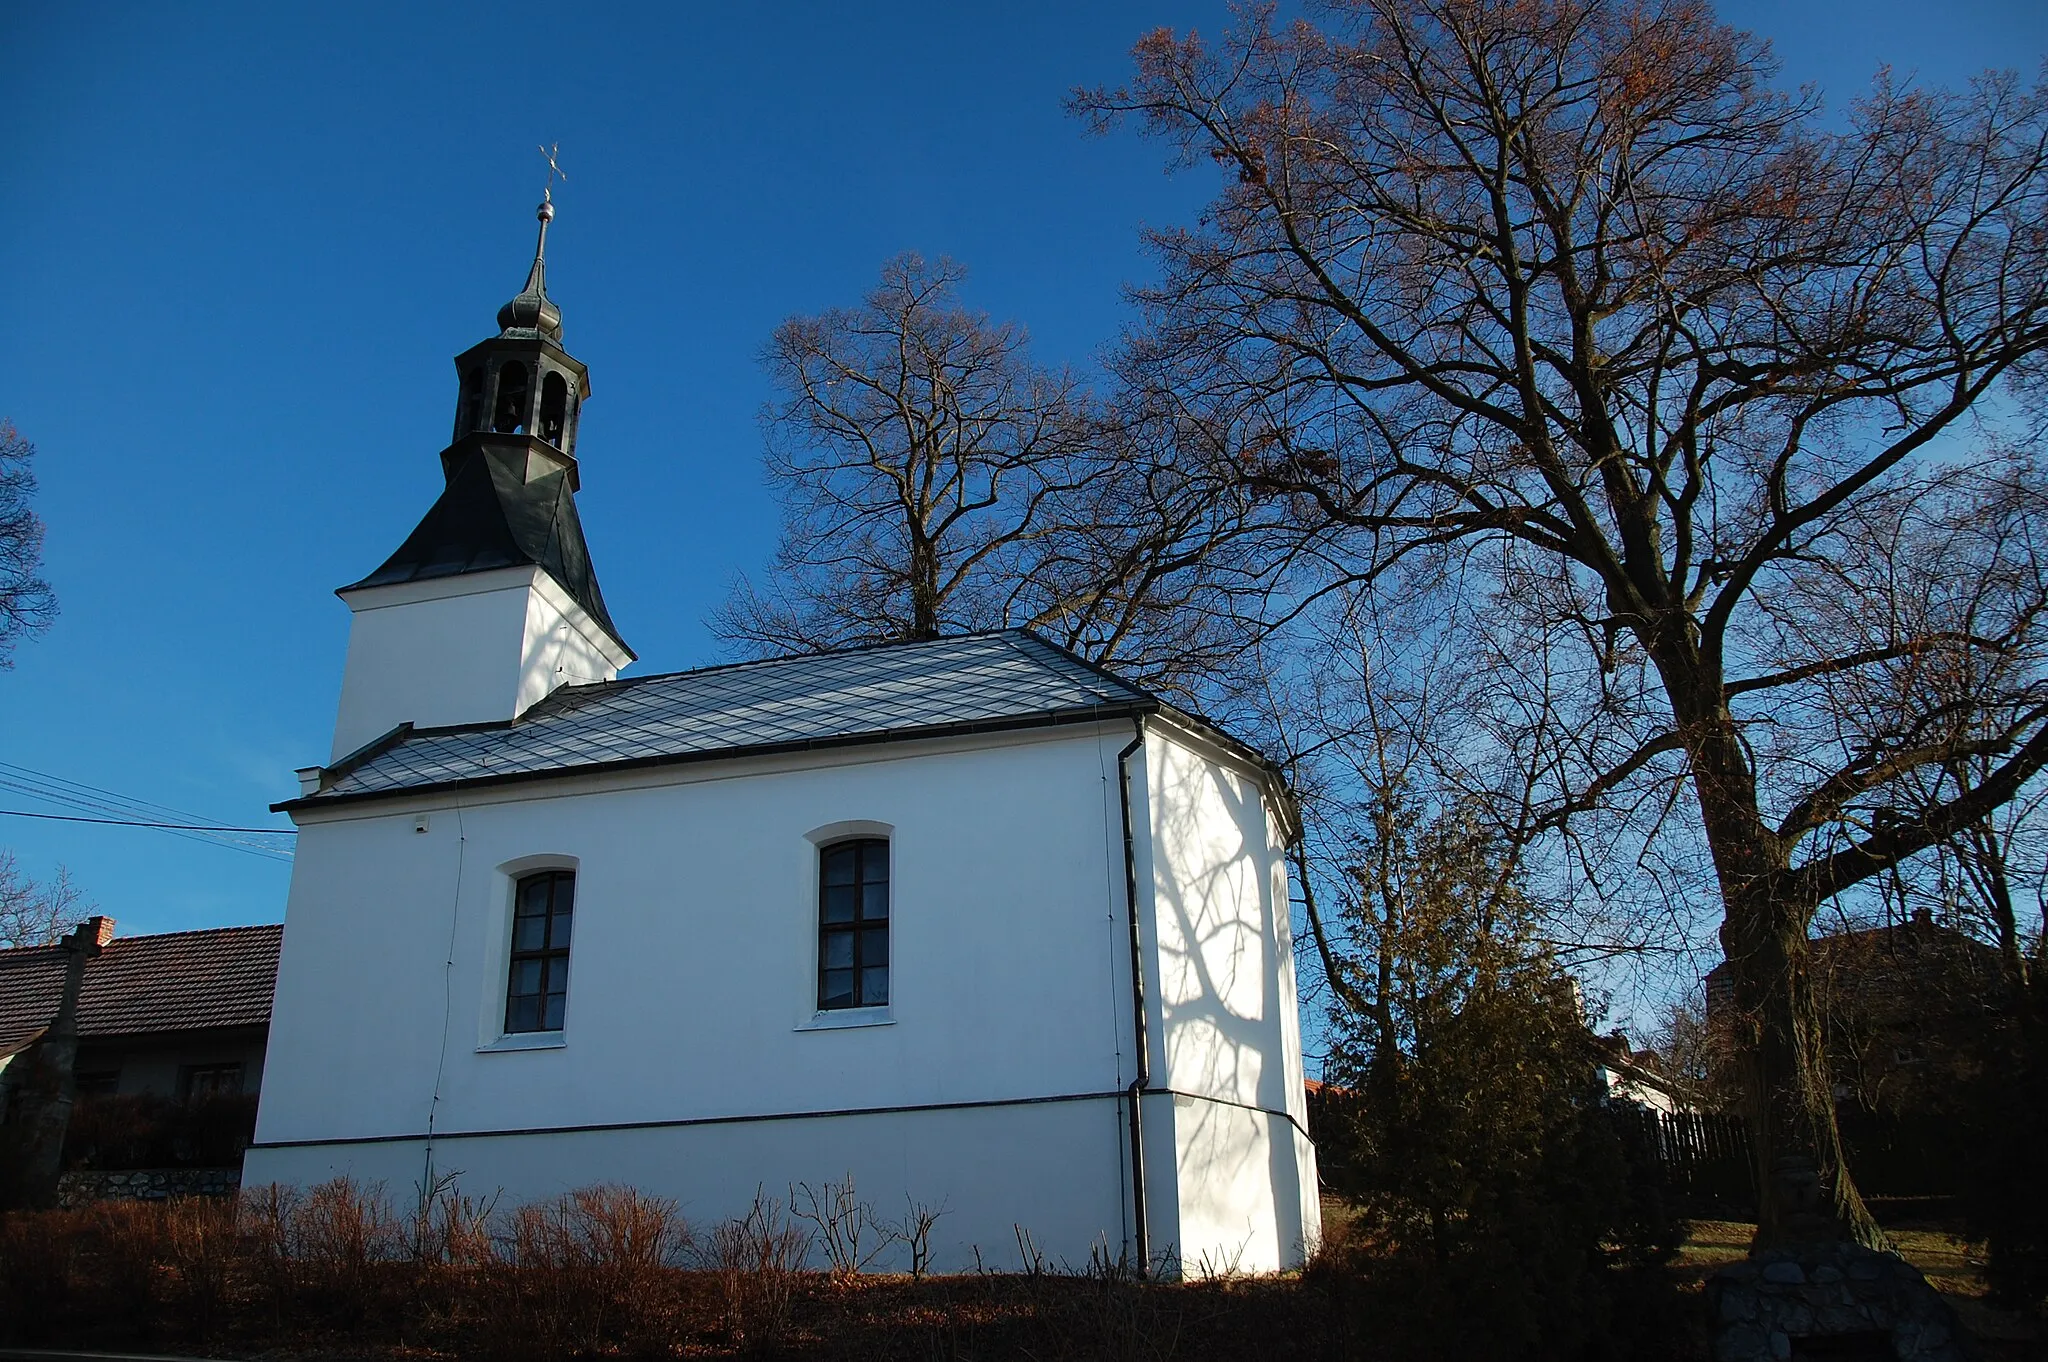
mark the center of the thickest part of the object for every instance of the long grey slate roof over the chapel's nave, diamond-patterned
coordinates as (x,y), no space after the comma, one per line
(931,689)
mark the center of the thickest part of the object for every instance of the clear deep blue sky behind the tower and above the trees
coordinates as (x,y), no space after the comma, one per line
(243,243)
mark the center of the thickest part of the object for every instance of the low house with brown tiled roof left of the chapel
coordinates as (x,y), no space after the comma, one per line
(175,1015)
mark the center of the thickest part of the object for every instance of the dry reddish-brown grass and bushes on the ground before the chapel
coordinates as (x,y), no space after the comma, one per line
(341,1273)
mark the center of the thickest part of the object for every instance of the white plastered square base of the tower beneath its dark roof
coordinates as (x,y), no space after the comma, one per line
(472,648)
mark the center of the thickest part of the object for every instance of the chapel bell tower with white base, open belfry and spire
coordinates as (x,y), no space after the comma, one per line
(490,603)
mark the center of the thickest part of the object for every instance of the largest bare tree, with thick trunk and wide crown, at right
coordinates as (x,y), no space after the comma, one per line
(1570,296)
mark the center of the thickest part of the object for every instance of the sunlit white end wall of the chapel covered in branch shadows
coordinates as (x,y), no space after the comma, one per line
(1228,1015)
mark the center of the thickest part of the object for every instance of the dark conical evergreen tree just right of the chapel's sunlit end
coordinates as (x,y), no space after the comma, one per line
(1498,1205)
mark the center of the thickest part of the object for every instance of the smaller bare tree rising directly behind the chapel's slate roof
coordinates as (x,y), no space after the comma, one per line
(921,456)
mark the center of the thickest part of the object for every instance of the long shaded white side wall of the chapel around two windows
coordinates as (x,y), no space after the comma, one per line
(693,980)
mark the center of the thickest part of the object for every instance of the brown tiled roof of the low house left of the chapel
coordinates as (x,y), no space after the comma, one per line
(146,984)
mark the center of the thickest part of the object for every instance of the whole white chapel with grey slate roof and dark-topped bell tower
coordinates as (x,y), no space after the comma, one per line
(972,921)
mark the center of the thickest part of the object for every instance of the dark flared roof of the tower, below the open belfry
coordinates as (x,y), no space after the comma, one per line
(493,517)
